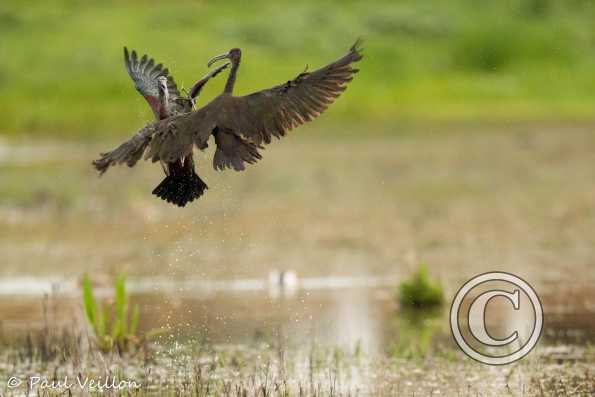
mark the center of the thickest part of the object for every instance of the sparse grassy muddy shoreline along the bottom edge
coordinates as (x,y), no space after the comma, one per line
(276,369)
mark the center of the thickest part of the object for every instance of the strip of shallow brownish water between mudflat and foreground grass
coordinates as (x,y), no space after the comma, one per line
(349,313)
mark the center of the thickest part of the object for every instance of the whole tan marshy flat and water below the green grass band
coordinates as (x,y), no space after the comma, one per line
(464,203)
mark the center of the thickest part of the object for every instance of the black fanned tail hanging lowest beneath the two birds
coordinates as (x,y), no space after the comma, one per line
(182,185)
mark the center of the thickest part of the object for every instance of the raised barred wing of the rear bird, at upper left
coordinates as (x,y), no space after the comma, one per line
(144,73)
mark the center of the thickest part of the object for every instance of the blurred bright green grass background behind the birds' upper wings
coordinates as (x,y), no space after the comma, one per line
(62,74)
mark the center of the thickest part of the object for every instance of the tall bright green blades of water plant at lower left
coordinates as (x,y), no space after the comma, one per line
(115,326)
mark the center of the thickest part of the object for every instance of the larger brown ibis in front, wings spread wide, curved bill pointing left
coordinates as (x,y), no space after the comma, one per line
(239,124)
